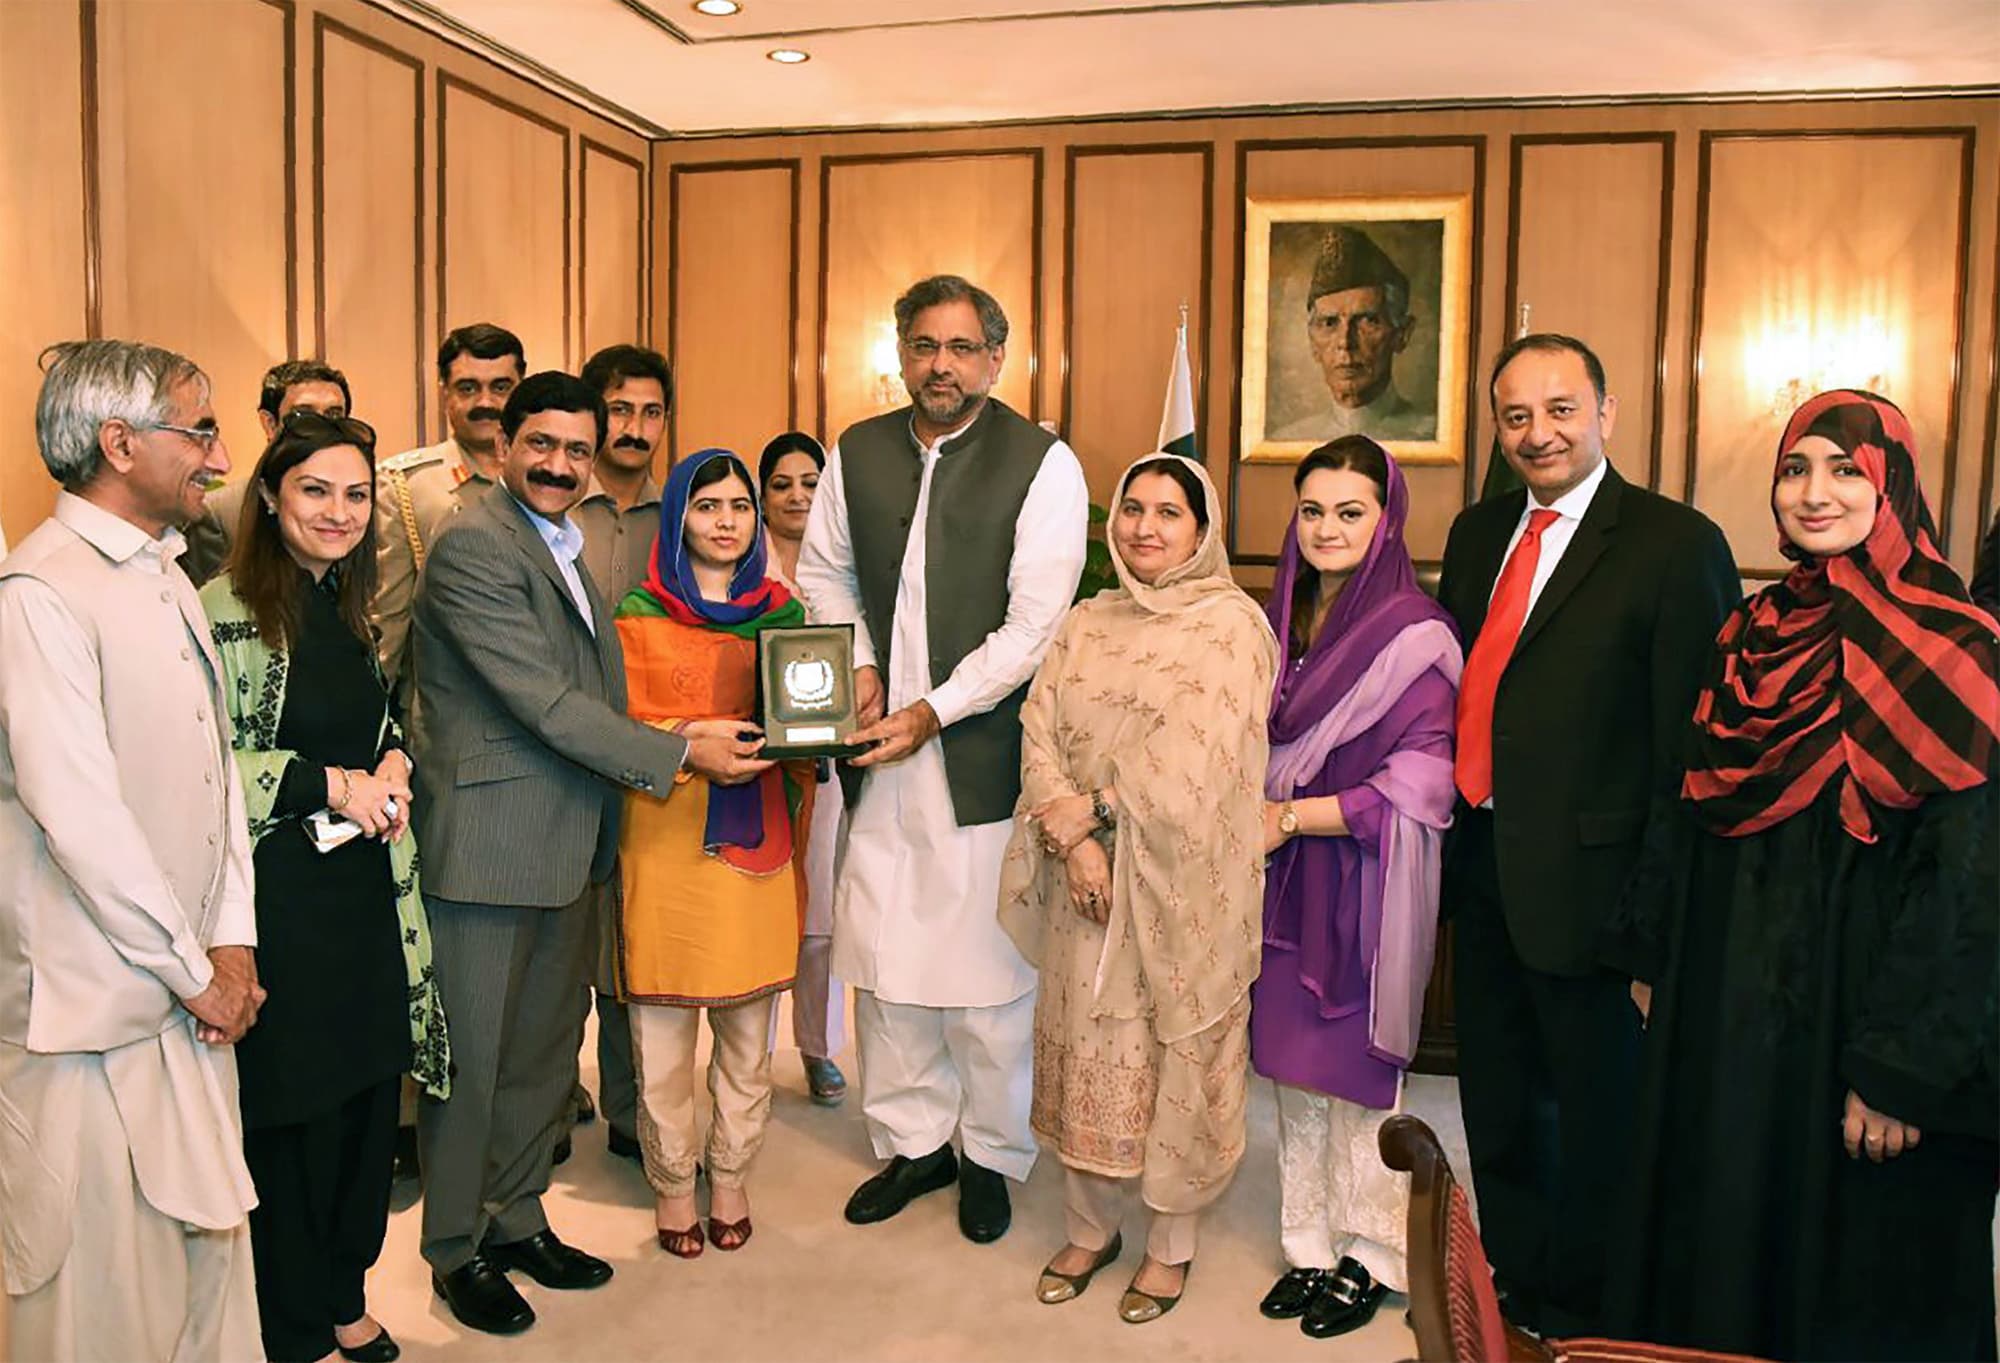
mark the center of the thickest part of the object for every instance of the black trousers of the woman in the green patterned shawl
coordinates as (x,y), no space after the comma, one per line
(323,1210)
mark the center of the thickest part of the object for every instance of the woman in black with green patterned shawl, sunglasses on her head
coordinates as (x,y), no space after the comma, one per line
(343,944)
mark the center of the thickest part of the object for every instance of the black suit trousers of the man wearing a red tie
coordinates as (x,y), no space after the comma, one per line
(1547,1080)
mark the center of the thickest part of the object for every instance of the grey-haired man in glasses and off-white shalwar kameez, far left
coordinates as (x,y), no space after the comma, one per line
(127,916)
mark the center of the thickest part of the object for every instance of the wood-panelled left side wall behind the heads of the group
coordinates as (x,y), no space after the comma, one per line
(255,181)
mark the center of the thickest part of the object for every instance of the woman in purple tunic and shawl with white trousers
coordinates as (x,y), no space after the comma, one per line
(1361,792)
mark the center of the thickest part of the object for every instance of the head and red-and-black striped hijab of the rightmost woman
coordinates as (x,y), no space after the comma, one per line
(1867,667)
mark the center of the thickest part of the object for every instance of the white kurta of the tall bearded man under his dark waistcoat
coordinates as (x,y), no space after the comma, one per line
(917,908)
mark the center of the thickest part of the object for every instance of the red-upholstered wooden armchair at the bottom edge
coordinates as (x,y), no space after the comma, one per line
(1455,1308)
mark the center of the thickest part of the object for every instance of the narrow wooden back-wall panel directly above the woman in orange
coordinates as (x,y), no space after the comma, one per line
(733,307)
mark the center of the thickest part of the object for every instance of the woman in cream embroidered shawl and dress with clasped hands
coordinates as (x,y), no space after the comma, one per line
(1135,880)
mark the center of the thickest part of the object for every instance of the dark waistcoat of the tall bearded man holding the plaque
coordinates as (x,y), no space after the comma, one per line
(977,495)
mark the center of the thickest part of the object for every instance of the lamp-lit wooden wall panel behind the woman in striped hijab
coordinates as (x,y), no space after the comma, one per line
(1789,241)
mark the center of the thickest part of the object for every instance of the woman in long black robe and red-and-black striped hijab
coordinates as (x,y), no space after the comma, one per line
(1817,1138)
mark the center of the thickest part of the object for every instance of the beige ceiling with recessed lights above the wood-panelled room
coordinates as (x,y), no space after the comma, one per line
(893,63)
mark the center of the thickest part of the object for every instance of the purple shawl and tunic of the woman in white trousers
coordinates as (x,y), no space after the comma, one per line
(1369,708)
